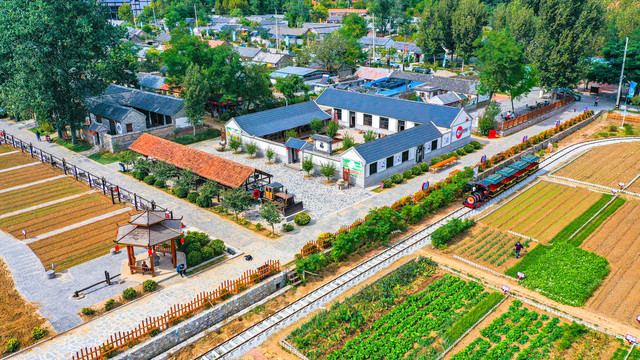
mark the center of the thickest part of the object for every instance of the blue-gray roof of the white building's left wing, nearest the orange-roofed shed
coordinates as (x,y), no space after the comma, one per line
(280,119)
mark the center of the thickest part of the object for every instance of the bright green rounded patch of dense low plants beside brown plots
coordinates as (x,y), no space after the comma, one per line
(562,272)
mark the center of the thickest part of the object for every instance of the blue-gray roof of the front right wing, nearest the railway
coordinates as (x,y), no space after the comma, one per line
(389,145)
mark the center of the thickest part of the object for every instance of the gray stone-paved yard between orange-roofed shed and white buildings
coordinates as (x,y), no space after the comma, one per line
(319,199)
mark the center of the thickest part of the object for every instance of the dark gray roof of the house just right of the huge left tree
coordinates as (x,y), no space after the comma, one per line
(161,104)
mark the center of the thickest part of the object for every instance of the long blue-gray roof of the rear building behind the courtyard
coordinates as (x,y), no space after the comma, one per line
(415,111)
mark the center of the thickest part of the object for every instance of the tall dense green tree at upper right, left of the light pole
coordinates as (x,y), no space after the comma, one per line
(565,39)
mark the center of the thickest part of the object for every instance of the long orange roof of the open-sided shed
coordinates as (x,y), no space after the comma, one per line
(226,172)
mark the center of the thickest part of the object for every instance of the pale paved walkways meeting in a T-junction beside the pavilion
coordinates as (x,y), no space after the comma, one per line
(180,290)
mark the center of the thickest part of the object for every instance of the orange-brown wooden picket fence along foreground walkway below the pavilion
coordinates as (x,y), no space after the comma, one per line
(152,326)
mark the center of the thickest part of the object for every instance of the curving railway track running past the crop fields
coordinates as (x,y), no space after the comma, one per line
(258,333)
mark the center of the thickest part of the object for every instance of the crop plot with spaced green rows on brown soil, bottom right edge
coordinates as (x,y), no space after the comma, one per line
(522,334)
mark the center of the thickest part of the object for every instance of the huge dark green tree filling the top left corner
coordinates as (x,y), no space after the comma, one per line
(53,75)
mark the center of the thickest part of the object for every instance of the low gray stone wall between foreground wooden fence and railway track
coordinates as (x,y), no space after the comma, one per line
(201,322)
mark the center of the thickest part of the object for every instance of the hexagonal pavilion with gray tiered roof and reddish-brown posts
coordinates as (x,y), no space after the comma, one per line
(150,230)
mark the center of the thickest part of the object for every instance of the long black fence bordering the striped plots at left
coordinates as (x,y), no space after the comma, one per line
(117,193)
